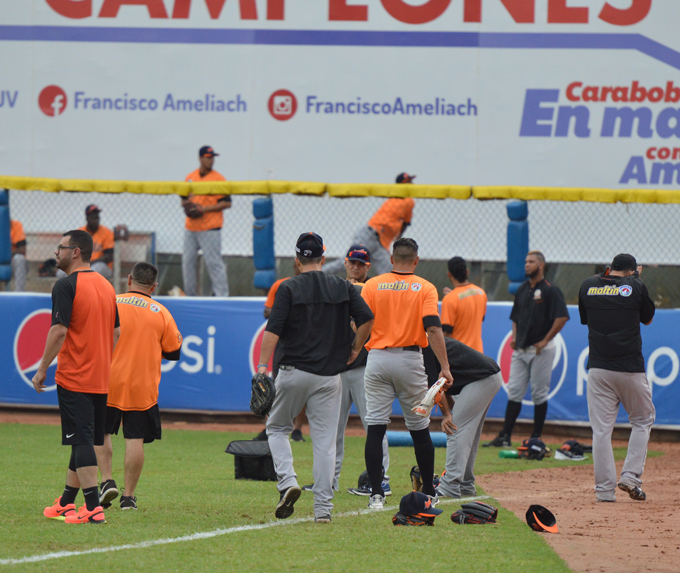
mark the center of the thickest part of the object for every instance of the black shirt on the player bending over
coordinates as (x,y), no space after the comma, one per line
(467,365)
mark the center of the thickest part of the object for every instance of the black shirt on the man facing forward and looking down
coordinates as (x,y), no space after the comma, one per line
(535,310)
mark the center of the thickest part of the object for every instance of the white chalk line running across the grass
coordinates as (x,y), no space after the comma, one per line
(210,534)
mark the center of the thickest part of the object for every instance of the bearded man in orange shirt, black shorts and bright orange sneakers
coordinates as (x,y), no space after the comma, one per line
(84,331)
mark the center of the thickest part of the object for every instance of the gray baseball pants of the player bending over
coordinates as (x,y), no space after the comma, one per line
(468,415)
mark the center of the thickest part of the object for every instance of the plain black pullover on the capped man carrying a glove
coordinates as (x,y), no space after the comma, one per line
(311,315)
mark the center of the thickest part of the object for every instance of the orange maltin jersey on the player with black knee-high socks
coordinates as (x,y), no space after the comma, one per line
(400,302)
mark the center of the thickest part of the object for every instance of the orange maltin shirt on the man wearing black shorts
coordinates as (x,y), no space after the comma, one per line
(147,329)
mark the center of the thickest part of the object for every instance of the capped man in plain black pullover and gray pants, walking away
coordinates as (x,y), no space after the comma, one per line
(310,319)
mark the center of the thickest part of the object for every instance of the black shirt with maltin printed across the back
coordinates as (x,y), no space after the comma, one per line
(613,308)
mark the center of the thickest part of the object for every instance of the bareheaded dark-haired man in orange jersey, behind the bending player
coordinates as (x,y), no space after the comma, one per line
(464,307)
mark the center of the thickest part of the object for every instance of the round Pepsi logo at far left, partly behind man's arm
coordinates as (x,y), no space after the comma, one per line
(29,343)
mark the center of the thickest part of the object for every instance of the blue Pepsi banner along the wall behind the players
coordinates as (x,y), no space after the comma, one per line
(222,339)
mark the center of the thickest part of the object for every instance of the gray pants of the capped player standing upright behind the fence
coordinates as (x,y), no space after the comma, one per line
(210,242)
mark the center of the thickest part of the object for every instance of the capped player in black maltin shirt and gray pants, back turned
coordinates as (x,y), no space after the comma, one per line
(613,305)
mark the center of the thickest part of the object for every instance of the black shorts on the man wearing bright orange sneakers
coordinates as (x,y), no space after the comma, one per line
(82,417)
